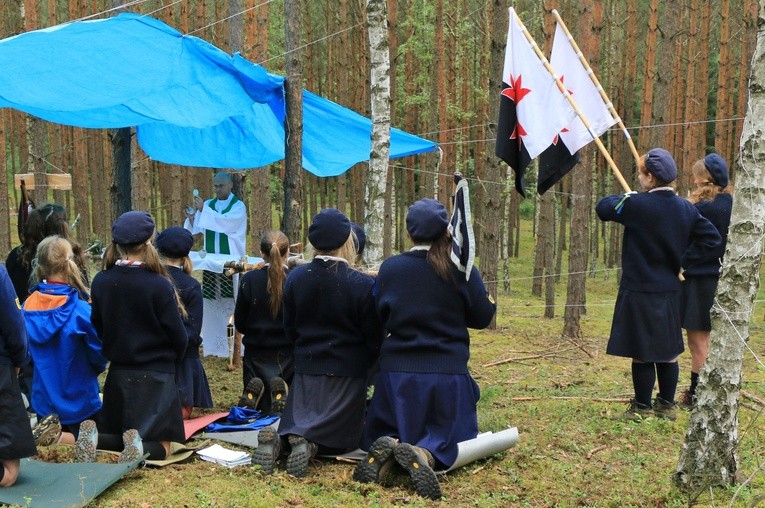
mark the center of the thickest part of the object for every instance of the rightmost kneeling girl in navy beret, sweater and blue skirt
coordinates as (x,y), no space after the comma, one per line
(424,398)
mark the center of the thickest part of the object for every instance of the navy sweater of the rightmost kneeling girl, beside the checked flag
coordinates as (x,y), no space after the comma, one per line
(426,316)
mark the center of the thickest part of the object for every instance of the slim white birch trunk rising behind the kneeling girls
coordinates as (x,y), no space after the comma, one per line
(377,28)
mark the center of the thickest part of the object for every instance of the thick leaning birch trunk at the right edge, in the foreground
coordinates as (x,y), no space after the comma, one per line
(708,457)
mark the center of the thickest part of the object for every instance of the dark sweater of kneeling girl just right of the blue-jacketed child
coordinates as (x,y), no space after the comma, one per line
(136,315)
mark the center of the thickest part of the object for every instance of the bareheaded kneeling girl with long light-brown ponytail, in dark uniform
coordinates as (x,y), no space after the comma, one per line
(268,355)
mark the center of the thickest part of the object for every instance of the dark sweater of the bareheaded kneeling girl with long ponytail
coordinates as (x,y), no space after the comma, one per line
(264,335)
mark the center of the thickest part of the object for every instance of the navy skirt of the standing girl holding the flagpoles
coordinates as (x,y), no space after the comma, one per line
(646,326)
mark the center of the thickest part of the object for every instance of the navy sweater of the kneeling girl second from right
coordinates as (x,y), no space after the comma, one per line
(329,316)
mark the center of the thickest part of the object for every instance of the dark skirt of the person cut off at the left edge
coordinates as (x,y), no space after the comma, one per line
(16,441)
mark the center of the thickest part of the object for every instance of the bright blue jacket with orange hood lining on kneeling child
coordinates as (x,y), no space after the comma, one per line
(66,351)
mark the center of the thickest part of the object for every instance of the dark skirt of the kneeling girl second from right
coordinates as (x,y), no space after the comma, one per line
(326,410)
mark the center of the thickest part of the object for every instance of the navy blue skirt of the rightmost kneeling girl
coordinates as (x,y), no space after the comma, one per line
(433,411)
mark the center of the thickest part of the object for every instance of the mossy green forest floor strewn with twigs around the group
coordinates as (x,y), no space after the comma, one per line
(560,395)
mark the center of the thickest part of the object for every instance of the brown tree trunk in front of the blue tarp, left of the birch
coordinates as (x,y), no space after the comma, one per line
(293,177)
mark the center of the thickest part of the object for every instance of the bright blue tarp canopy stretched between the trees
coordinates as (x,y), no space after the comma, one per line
(191,103)
